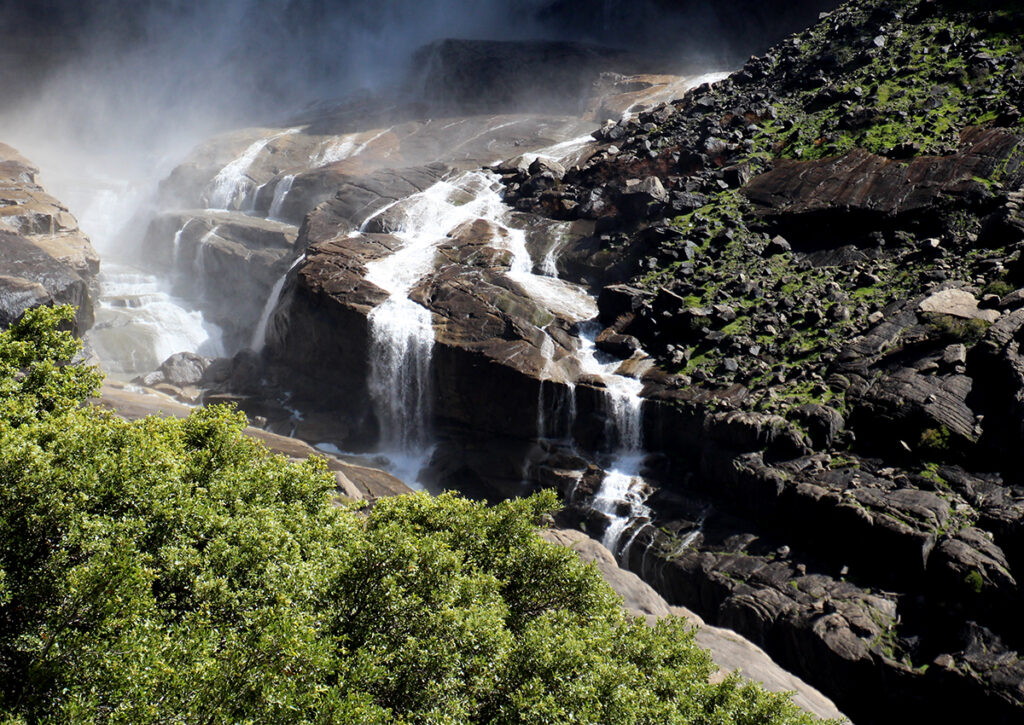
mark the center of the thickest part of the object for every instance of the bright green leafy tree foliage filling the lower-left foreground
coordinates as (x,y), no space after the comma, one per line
(175,571)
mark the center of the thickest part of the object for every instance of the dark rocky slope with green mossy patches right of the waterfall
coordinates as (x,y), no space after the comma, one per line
(823,252)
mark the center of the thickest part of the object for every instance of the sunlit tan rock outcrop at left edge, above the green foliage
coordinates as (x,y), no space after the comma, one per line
(45,259)
